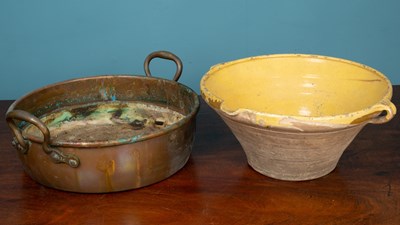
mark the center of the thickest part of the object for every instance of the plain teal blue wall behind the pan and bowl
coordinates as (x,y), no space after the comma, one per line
(42,42)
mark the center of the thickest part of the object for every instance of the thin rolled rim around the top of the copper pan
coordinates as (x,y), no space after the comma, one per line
(187,118)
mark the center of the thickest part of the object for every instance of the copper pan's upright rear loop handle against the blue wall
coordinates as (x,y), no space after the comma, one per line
(164,55)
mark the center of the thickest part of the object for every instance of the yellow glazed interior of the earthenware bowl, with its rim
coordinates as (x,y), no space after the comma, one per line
(283,90)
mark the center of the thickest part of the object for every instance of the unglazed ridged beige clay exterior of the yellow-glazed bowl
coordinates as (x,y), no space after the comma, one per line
(292,155)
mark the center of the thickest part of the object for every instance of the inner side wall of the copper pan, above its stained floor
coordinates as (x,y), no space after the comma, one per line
(110,88)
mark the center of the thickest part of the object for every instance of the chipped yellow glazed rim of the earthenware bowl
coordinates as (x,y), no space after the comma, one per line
(329,121)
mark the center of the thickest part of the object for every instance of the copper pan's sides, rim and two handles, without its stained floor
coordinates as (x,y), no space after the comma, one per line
(111,164)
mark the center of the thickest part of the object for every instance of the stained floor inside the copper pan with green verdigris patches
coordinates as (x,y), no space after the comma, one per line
(109,120)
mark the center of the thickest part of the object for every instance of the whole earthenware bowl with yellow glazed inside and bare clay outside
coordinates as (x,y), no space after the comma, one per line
(294,114)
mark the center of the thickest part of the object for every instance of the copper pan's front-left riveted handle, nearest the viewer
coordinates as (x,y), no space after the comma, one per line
(22,144)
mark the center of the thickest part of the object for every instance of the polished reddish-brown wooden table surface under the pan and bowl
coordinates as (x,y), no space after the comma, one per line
(218,187)
